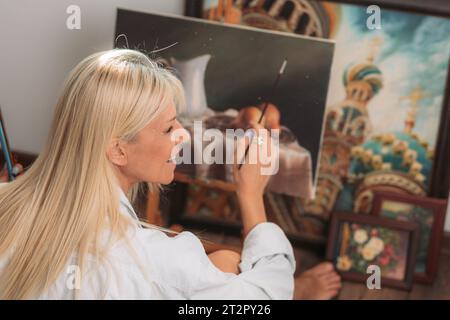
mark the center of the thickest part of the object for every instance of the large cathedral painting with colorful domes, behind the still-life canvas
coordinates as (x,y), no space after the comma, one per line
(385,104)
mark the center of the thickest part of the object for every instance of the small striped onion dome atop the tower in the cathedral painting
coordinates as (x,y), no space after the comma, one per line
(364,71)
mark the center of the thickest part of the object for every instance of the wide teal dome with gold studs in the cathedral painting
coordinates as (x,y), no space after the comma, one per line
(403,153)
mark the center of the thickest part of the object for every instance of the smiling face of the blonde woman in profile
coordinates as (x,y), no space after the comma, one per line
(148,157)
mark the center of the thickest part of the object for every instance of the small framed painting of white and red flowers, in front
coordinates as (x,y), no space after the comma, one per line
(357,241)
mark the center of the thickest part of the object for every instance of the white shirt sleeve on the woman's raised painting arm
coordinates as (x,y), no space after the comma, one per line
(267,269)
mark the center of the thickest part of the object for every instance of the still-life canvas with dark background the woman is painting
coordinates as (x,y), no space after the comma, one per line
(227,73)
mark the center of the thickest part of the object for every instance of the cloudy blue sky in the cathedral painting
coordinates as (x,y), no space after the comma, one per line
(415,52)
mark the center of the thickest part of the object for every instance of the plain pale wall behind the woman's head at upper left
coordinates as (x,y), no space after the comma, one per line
(37,51)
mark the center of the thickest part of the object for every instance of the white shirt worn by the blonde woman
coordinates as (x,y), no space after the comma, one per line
(178,268)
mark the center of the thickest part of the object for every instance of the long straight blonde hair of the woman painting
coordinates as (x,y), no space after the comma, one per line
(67,198)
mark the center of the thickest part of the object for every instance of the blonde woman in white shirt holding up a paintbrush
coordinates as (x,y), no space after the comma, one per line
(68,230)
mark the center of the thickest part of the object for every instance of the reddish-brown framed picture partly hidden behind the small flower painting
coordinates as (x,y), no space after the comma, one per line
(430,214)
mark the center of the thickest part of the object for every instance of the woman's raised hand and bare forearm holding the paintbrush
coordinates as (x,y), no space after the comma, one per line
(250,180)
